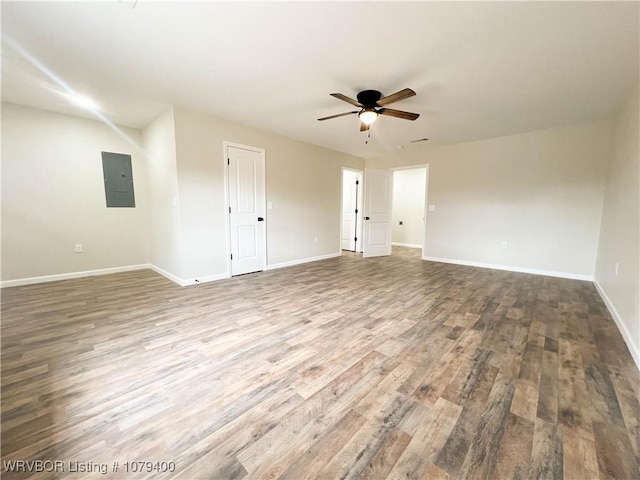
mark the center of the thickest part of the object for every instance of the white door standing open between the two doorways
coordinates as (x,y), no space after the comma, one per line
(377,213)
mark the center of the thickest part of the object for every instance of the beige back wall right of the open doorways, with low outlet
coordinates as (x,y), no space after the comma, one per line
(541,192)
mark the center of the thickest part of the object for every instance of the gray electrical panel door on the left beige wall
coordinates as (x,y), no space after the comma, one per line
(118,179)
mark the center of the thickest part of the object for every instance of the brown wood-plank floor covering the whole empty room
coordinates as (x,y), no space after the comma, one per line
(344,368)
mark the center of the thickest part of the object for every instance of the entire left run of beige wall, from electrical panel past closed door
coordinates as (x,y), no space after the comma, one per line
(53,196)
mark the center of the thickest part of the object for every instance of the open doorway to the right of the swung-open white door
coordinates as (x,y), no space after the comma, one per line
(409,207)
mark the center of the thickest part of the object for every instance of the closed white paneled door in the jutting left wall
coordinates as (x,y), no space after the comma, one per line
(246,210)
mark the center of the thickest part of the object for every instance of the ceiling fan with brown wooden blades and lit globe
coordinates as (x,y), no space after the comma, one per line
(372,104)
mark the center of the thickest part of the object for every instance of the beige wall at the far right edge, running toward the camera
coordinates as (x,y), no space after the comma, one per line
(619,234)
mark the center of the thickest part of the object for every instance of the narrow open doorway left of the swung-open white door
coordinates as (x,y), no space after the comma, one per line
(351,224)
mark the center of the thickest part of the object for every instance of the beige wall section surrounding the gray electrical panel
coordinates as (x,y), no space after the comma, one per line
(53,196)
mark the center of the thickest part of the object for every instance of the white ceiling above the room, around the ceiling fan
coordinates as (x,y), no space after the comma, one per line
(480,69)
